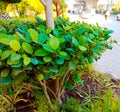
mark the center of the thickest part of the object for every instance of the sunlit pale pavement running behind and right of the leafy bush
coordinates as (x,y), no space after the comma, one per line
(110,60)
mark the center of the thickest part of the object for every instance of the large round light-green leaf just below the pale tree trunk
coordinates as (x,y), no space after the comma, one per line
(54,42)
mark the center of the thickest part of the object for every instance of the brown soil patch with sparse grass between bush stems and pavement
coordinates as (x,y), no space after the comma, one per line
(92,87)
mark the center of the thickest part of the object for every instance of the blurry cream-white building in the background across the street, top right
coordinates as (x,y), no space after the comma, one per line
(92,5)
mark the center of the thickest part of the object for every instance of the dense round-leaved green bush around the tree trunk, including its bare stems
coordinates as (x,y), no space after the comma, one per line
(50,57)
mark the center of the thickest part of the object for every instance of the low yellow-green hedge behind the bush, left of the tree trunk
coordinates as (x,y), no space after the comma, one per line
(12,25)
